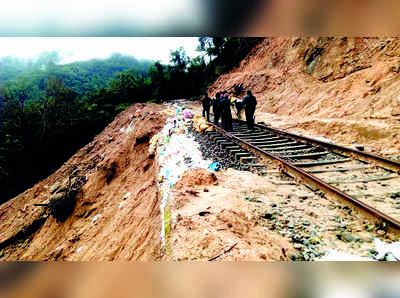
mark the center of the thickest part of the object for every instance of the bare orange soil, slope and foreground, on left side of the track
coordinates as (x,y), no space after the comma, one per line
(229,215)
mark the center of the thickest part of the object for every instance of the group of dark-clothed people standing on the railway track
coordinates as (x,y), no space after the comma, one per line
(222,108)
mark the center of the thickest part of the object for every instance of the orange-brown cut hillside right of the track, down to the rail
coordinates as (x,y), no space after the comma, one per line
(347,89)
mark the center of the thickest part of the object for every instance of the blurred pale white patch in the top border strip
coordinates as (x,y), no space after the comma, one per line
(99,17)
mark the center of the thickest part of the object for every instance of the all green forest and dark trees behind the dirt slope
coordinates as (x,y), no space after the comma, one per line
(48,110)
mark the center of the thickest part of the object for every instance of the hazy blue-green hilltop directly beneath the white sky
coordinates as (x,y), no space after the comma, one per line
(81,77)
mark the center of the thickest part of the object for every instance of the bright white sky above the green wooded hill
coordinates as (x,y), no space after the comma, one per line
(84,48)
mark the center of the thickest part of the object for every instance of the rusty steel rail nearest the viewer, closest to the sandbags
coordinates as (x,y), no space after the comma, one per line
(314,180)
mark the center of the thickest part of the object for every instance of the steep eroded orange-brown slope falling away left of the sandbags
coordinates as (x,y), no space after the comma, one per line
(116,216)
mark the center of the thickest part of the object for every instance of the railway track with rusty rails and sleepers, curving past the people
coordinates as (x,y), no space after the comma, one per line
(368,181)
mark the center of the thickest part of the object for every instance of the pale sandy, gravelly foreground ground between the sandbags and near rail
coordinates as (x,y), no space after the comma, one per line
(268,217)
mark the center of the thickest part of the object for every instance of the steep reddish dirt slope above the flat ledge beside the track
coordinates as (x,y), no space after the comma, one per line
(320,76)
